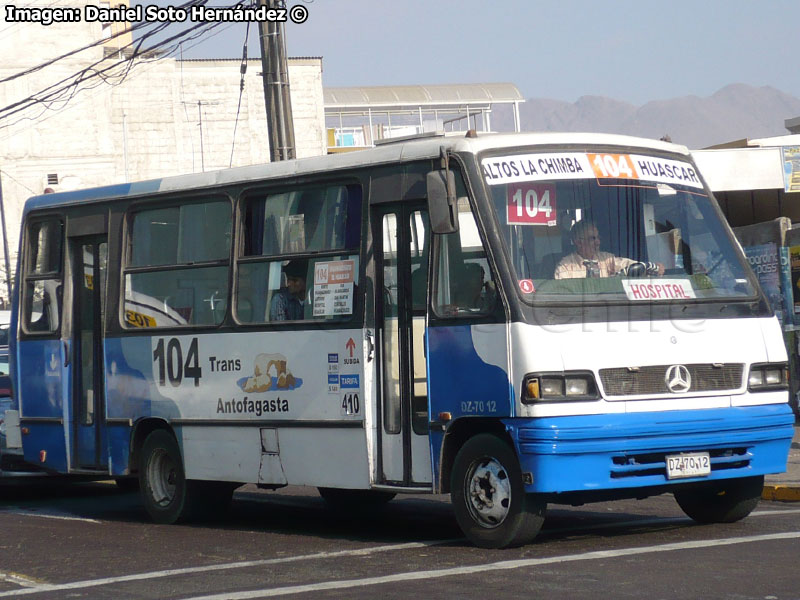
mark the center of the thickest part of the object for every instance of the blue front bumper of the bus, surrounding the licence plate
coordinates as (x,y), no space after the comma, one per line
(618,451)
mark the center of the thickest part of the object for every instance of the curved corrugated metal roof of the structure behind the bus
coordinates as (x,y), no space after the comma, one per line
(421,95)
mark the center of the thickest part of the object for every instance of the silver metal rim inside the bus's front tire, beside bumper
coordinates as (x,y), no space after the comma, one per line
(488,492)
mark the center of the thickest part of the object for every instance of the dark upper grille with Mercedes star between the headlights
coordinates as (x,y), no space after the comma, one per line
(636,381)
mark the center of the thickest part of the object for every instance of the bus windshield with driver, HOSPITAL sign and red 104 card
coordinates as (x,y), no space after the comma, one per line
(612,227)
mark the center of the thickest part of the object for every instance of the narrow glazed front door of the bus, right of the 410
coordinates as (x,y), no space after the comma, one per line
(402,239)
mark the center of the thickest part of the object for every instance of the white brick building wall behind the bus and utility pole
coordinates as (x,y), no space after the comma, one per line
(146,126)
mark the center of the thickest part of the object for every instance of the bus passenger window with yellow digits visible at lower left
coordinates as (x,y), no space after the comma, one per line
(177,271)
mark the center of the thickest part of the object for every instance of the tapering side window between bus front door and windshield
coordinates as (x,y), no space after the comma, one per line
(464,284)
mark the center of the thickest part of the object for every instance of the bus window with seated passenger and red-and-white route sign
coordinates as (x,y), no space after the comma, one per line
(300,258)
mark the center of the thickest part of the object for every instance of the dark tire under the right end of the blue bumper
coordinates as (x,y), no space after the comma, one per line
(724,501)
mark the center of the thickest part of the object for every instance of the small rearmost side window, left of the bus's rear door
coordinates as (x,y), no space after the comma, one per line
(42,304)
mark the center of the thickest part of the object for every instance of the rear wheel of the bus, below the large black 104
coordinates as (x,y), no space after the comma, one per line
(165,491)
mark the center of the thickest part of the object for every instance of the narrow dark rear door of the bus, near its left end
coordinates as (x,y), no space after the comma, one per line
(89,267)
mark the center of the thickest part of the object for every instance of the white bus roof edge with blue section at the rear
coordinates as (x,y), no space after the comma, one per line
(401,151)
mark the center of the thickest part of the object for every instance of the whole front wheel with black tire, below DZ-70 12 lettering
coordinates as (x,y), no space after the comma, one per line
(489,498)
